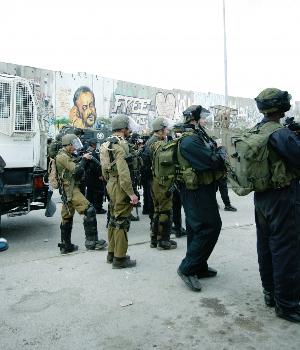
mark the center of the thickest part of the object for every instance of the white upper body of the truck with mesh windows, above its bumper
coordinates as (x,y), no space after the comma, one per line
(20,136)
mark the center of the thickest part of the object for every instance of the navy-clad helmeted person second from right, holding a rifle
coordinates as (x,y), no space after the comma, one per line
(203,164)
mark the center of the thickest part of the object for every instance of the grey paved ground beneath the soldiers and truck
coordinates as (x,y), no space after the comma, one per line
(49,301)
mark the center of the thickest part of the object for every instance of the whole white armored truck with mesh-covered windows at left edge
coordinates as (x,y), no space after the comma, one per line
(23,149)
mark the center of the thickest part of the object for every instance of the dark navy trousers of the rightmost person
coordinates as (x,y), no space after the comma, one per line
(277,216)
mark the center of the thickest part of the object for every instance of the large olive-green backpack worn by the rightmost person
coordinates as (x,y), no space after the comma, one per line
(249,167)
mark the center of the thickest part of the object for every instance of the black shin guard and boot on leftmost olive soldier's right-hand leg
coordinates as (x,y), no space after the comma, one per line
(91,233)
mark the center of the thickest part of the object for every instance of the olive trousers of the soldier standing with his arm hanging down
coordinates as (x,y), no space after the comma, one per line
(119,223)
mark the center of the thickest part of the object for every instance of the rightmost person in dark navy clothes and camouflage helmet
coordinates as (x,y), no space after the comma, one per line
(277,210)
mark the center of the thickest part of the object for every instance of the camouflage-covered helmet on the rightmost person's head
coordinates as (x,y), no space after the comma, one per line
(273,100)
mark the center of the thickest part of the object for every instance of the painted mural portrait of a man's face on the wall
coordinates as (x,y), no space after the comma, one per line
(83,113)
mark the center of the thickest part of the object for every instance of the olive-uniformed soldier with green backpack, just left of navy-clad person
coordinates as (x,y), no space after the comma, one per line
(161,196)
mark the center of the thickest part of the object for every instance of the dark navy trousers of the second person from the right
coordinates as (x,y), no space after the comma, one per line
(203,226)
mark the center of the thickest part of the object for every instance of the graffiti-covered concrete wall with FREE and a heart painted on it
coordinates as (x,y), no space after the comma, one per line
(55,91)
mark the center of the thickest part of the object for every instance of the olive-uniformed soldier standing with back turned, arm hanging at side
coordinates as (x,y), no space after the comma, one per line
(114,155)
